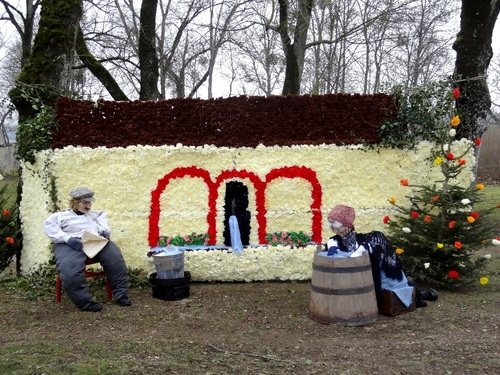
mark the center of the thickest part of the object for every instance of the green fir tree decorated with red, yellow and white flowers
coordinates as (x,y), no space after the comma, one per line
(439,234)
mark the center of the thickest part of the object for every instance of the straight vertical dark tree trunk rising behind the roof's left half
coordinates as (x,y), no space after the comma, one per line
(148,58)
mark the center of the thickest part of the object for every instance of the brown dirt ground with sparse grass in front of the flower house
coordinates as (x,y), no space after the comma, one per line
(246,328)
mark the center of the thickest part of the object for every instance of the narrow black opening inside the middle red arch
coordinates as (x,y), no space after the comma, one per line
(236,203)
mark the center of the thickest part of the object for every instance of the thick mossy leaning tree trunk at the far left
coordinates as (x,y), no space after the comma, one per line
(52,55)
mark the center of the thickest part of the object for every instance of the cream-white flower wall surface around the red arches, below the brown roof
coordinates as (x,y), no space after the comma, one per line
(123,180)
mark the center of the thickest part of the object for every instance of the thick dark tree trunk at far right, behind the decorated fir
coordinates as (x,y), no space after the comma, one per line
(474,53)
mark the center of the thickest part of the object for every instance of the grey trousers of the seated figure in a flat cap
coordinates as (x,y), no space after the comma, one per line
(70,264)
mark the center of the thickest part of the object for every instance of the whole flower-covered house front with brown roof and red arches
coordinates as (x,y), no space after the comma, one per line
(205,170)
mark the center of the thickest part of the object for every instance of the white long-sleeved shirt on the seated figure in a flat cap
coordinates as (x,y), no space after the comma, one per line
(62,225)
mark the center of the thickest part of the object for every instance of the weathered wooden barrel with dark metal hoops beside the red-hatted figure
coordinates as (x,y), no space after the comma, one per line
(342,291)
